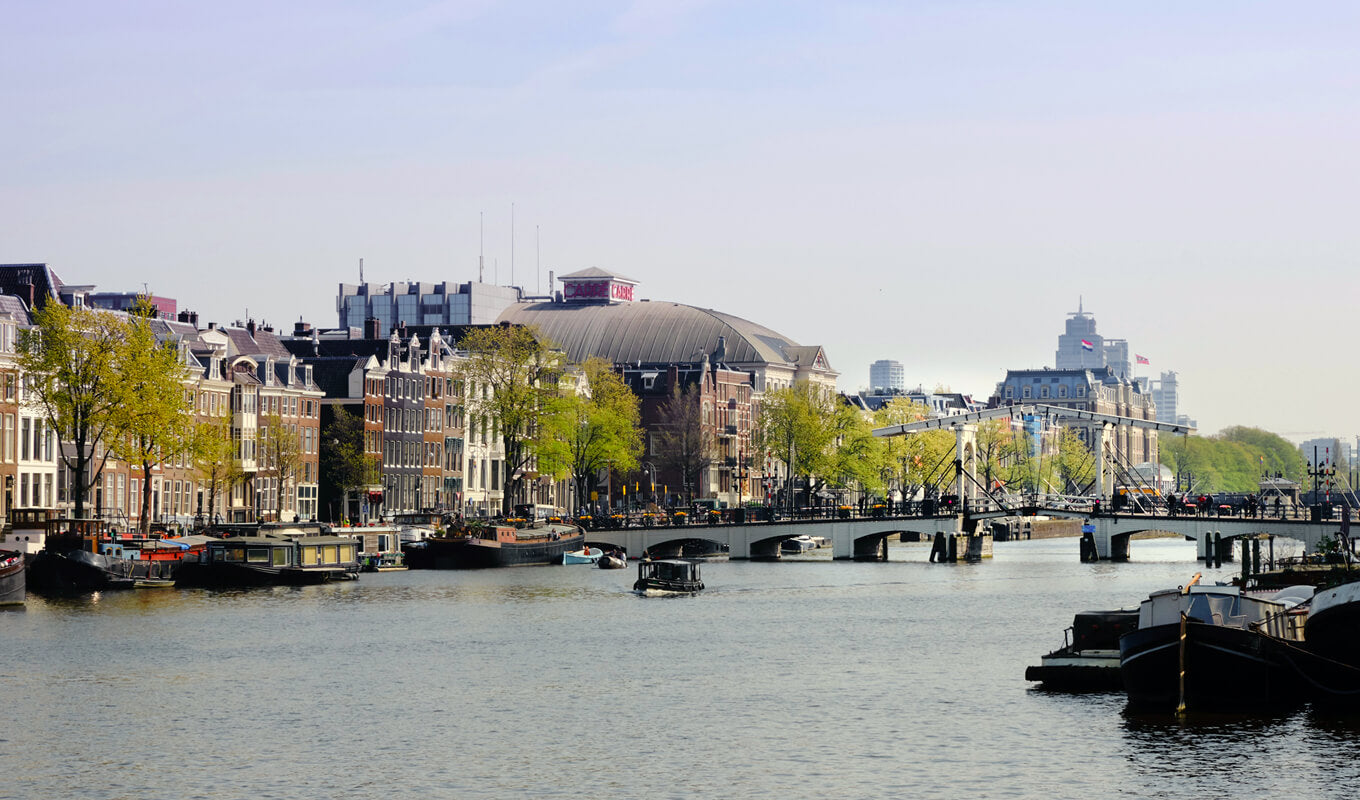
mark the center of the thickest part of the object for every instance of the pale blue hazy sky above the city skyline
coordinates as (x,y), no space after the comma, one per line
(932,183)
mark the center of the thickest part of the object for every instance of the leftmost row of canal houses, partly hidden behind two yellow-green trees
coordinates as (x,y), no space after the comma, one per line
(240,378)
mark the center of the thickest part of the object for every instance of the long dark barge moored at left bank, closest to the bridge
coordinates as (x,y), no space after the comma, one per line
(494,546)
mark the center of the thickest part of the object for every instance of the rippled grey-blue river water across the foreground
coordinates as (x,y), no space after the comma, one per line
(798,680)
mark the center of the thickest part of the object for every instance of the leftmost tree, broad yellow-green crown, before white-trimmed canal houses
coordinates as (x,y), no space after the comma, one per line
(73,367)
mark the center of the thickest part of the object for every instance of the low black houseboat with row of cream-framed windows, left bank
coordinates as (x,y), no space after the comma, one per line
(271,560)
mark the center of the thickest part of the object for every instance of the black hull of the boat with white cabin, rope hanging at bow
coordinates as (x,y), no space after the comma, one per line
(1226,670)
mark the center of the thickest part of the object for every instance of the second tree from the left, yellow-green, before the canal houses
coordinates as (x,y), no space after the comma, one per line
(153,425)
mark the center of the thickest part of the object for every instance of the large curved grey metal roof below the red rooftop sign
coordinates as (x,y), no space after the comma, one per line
(653,333)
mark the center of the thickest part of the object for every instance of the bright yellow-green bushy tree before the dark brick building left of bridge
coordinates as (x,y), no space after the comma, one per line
(595,431)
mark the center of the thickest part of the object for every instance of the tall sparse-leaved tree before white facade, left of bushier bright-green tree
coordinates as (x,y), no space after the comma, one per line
(520,371)
